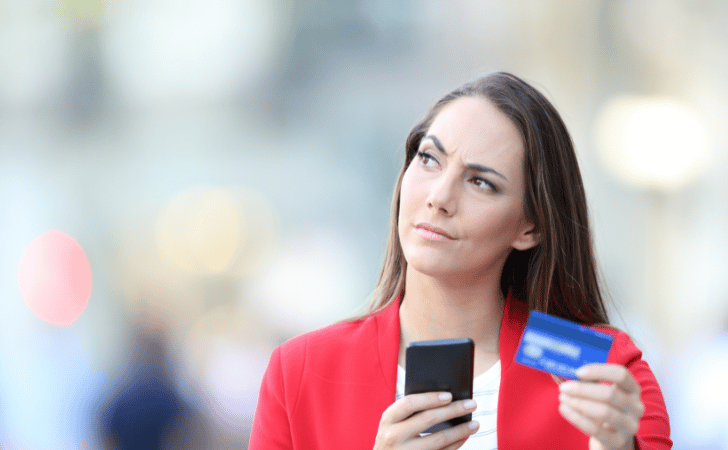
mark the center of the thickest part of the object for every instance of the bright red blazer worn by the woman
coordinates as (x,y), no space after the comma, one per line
(327,389)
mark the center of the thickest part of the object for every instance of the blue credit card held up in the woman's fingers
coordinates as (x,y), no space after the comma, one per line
(560,346)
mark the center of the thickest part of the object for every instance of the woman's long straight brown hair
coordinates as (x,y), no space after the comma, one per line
(559,275)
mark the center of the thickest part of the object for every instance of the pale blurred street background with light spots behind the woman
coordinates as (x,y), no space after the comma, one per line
(224,169)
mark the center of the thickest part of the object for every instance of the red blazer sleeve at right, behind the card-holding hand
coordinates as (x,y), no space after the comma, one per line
(654,428)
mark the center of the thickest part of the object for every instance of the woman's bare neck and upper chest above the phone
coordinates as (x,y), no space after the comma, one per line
(434,309)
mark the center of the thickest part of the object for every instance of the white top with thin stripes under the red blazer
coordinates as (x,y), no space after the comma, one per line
(485,393)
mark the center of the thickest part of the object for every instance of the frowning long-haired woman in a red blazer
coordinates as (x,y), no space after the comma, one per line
(489,221)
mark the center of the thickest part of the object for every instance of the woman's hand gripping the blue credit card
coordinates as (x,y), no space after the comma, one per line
(608,413)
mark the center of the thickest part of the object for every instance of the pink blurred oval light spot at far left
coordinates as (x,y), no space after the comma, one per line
(55,278)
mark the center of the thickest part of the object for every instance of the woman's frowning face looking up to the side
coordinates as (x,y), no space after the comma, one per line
(461,203)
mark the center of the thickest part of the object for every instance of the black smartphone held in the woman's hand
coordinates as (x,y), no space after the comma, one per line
(441,365)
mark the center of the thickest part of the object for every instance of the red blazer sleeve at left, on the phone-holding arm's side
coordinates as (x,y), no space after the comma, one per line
(271,426)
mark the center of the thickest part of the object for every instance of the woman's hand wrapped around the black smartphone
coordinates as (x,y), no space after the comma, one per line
(411,415)
